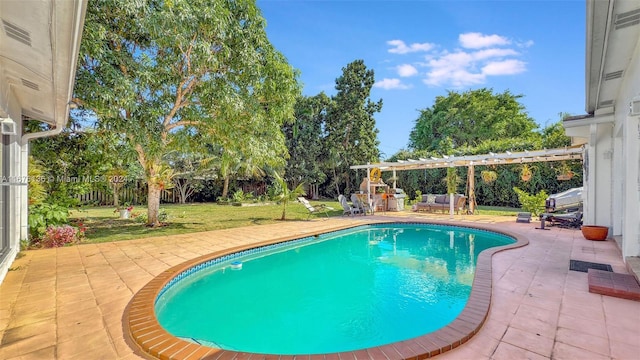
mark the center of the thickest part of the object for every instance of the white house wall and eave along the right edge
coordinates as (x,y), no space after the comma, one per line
(612,134)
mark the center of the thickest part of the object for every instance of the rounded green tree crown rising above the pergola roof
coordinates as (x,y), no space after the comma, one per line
(469,118)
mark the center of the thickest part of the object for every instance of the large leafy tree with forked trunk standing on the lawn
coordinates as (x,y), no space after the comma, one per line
(149,68)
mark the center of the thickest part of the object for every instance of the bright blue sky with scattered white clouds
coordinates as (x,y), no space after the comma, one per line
(423,49)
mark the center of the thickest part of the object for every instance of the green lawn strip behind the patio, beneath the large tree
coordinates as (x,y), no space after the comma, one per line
(104,225)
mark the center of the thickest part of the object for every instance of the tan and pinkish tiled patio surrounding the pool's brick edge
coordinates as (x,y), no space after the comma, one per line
(68,303)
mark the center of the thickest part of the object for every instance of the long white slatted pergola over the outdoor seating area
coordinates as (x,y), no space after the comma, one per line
(469,161)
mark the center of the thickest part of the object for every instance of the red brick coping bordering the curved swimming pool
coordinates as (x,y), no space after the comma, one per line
(144,330)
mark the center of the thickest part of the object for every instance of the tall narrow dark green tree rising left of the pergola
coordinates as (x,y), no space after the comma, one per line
(350,123)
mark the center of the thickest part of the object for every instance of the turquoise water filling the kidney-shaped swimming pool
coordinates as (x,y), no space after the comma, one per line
(346,290)
